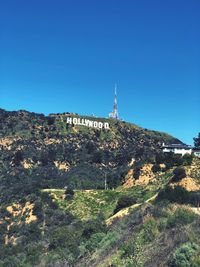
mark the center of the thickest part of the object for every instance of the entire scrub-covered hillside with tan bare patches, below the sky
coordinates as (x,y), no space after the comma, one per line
(147,216)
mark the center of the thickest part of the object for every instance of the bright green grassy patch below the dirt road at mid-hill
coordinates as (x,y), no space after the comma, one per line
(88,204)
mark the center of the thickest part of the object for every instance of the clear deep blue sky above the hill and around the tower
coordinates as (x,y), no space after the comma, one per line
(66,55)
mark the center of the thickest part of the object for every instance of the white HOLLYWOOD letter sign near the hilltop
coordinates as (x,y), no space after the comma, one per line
(88,123)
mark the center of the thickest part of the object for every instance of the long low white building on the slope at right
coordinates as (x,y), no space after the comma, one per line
(180,149)
